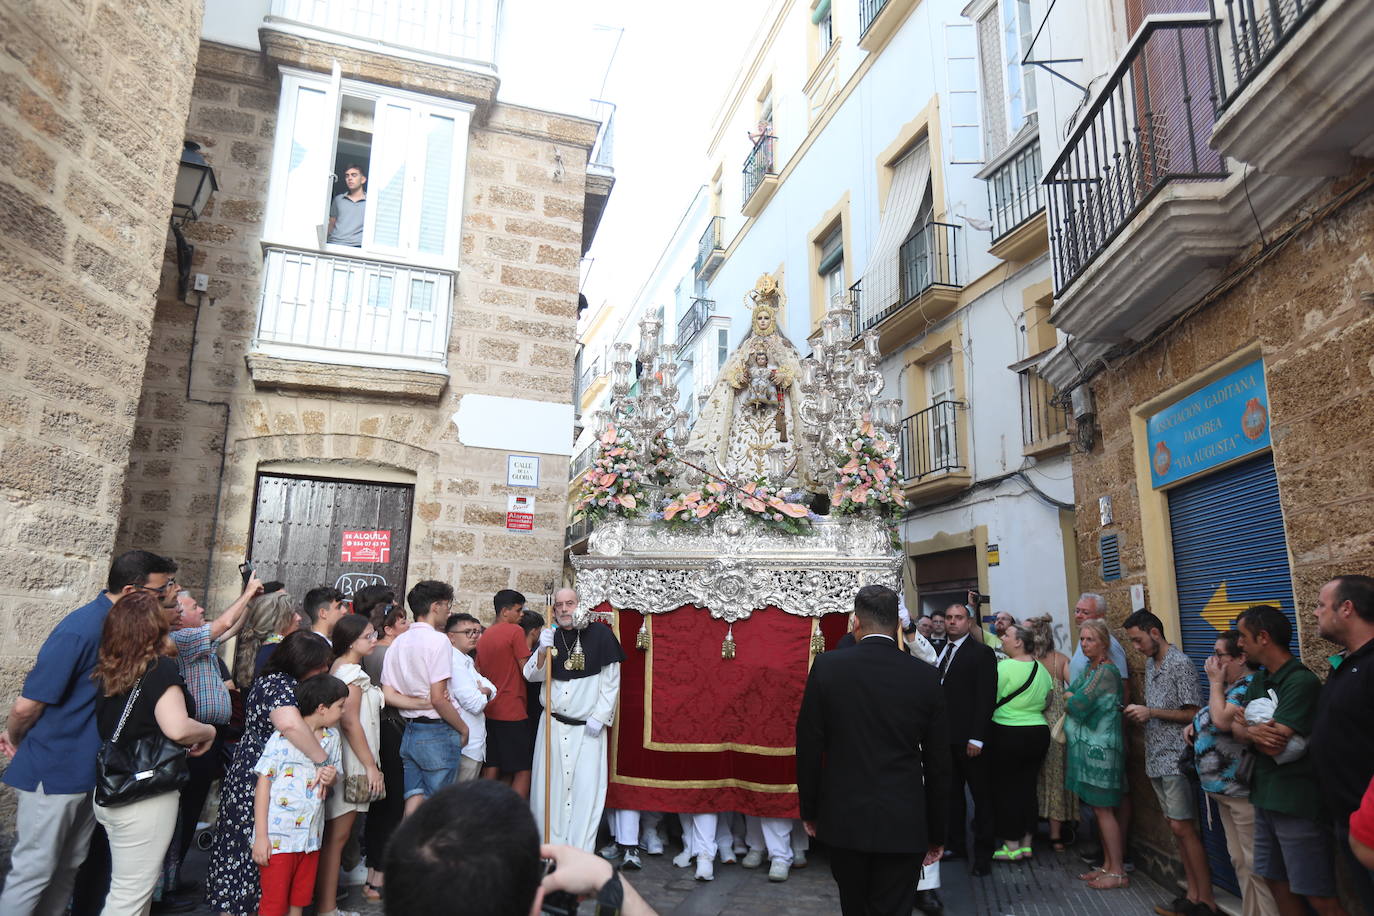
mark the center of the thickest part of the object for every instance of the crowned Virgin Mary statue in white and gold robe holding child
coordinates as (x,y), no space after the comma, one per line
(751,426)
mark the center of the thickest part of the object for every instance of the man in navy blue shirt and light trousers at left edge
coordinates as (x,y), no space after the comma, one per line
(53,742)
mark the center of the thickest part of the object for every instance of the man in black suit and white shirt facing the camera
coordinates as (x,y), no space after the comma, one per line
(969,674)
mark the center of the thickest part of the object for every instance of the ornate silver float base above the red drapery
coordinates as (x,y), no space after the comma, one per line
(734,566)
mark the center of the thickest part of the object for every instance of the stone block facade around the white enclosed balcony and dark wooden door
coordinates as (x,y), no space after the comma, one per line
(513,336)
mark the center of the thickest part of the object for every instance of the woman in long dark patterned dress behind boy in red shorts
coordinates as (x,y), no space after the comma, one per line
(232,884)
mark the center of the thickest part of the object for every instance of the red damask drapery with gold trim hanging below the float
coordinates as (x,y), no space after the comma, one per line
(697,733)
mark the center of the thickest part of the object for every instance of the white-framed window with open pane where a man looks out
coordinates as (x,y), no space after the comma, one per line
(412,148)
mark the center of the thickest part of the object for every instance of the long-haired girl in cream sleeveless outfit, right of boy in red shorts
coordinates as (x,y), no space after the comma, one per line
(362,779)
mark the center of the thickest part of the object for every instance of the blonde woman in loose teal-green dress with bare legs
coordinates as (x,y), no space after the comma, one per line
(1093,734)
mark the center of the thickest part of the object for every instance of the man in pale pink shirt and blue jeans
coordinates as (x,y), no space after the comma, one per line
(420,664)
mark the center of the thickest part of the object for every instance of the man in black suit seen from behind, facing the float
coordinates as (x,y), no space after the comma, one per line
(872,763)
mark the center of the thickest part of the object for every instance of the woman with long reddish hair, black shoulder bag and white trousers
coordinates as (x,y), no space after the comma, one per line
(144,715)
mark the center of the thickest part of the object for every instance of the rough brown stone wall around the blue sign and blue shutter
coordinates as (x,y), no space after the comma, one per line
(1309,308)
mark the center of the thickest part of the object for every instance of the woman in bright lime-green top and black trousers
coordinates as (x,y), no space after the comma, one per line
(1017,742)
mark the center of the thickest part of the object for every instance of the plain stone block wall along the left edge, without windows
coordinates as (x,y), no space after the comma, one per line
(93,108)
